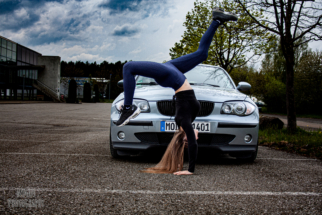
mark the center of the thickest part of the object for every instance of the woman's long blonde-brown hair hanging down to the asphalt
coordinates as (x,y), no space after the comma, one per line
(172,160)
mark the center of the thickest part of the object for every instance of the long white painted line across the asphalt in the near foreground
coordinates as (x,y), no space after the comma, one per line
(151,192)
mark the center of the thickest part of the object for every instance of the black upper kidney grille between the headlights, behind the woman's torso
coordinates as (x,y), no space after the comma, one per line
(165,108)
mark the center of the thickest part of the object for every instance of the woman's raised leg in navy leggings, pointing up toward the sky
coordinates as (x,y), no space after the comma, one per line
(189,61)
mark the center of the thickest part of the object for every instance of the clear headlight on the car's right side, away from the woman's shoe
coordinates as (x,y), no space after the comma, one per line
(237,108)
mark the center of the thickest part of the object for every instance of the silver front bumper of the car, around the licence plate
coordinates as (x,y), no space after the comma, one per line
(226,134)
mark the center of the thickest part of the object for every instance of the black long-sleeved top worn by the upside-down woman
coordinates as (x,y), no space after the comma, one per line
(187,108)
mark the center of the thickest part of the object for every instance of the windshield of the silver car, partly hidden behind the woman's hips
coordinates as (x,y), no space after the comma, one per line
(200,75)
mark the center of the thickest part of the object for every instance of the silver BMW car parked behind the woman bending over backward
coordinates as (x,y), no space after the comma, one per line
(228,120)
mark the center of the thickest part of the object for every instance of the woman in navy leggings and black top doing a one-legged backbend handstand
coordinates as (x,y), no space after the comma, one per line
(171,74)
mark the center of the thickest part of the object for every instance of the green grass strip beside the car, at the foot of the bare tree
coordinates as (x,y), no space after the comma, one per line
(307,143)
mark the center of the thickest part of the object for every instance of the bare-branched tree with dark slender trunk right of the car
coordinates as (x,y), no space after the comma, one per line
(291,20)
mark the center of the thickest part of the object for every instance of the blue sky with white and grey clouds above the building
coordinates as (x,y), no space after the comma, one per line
(97,30)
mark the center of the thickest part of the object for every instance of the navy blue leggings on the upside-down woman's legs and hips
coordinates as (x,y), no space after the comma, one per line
(169,74)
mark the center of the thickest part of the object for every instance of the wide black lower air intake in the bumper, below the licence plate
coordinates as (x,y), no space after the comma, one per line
(203,139)
